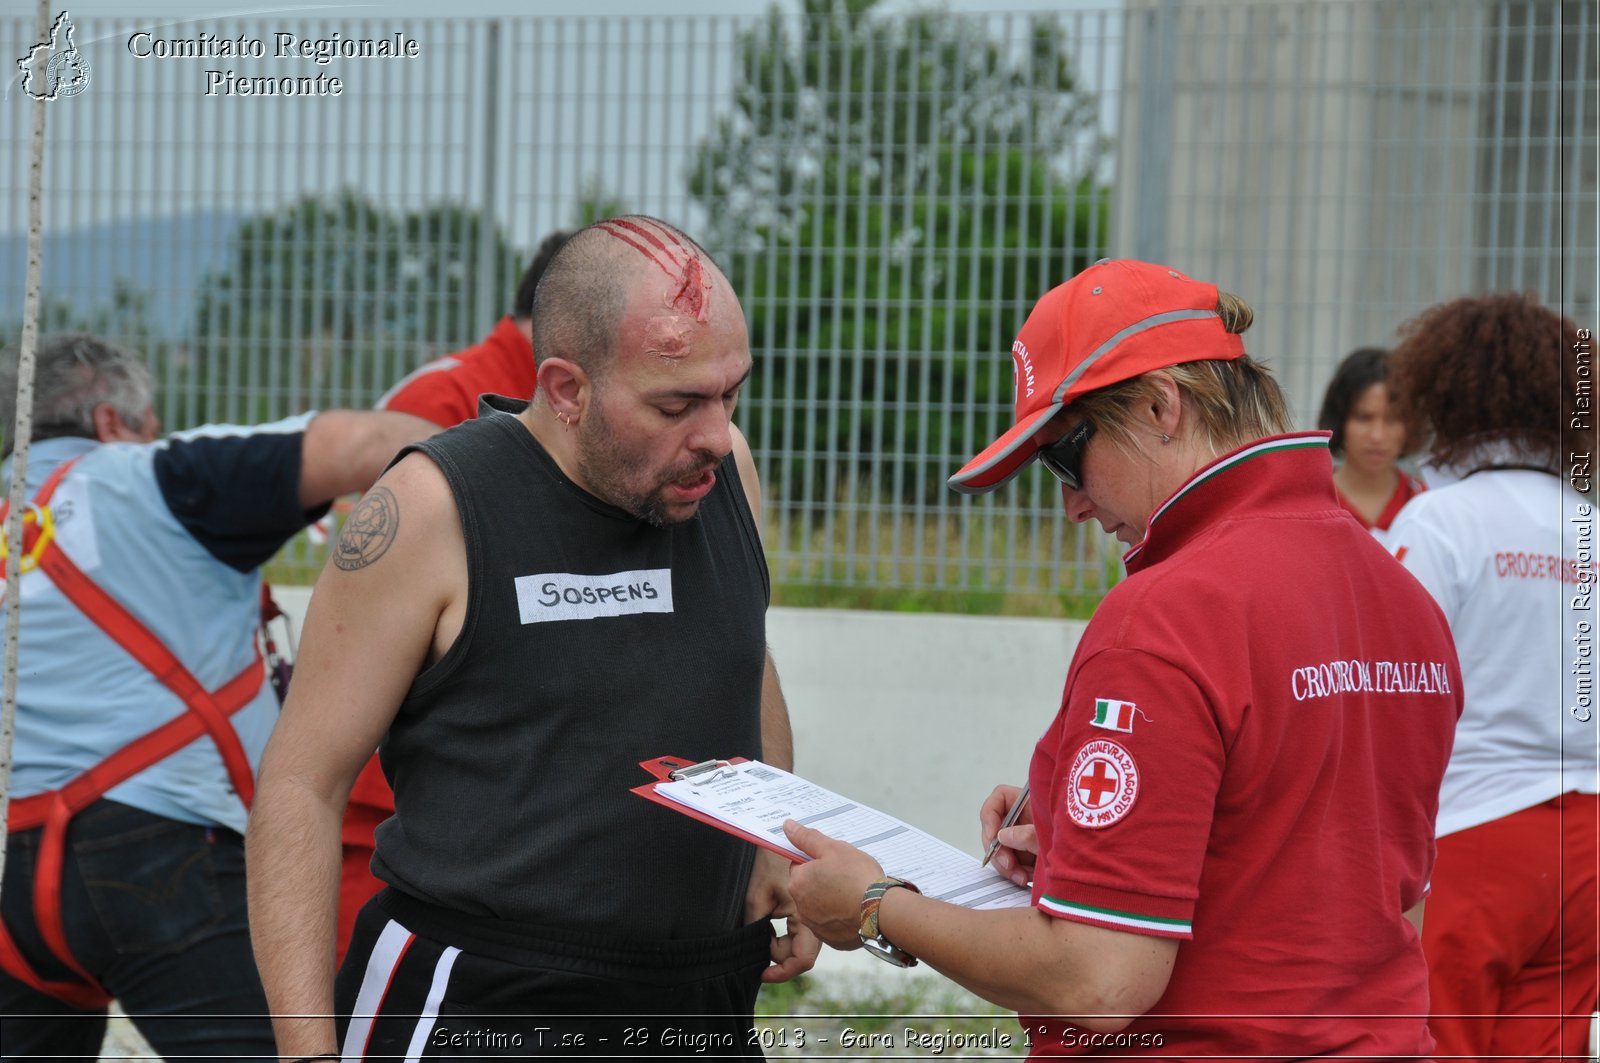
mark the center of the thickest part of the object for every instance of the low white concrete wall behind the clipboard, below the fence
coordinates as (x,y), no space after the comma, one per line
(914,715)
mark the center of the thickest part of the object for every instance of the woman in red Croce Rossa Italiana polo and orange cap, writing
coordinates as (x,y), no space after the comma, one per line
(1231,820)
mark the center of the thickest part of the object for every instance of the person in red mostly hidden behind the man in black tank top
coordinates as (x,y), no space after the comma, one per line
(446,391)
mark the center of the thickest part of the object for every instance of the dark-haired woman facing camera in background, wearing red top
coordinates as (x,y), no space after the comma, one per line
(1369,439)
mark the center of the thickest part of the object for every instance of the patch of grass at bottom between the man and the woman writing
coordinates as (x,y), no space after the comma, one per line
(921,1016)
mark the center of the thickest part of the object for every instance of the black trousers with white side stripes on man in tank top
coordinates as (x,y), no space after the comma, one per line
(423,984)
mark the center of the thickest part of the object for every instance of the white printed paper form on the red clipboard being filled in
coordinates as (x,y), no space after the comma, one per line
(758,798)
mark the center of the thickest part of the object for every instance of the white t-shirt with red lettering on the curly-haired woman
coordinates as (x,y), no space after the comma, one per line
(1510,558)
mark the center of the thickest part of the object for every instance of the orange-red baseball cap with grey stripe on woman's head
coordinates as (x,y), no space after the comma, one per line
(1113,323)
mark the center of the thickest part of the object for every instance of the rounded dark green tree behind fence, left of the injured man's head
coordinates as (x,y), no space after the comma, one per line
(330,302)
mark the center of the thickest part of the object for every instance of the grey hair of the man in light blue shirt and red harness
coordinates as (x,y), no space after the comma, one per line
(73,375)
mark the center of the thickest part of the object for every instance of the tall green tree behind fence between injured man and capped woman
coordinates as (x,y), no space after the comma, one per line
(892,196)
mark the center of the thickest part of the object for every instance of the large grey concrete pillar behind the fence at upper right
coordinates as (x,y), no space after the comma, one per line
(1343,166)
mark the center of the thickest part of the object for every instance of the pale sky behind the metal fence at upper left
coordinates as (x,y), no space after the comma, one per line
(164,118)
